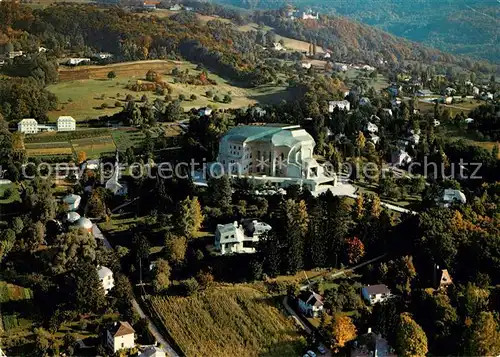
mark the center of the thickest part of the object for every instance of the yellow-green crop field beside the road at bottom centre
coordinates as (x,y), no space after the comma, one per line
(229,321)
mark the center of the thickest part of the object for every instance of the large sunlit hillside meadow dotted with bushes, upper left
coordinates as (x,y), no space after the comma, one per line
(83,90)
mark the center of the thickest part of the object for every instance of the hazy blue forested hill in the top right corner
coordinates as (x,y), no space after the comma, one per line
(468,27)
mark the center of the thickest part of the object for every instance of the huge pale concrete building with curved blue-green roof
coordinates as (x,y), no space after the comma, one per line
(277,154)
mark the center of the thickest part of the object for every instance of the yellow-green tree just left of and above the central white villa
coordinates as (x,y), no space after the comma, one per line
(188,217)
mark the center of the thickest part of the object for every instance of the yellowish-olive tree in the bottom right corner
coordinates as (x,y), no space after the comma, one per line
(484,336)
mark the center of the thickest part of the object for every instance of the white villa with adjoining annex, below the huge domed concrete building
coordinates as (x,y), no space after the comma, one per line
(235,238)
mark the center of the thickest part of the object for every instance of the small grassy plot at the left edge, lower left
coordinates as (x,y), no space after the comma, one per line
(13,299)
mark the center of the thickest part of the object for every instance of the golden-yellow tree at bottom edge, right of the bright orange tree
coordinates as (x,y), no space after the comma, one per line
(411,340)
